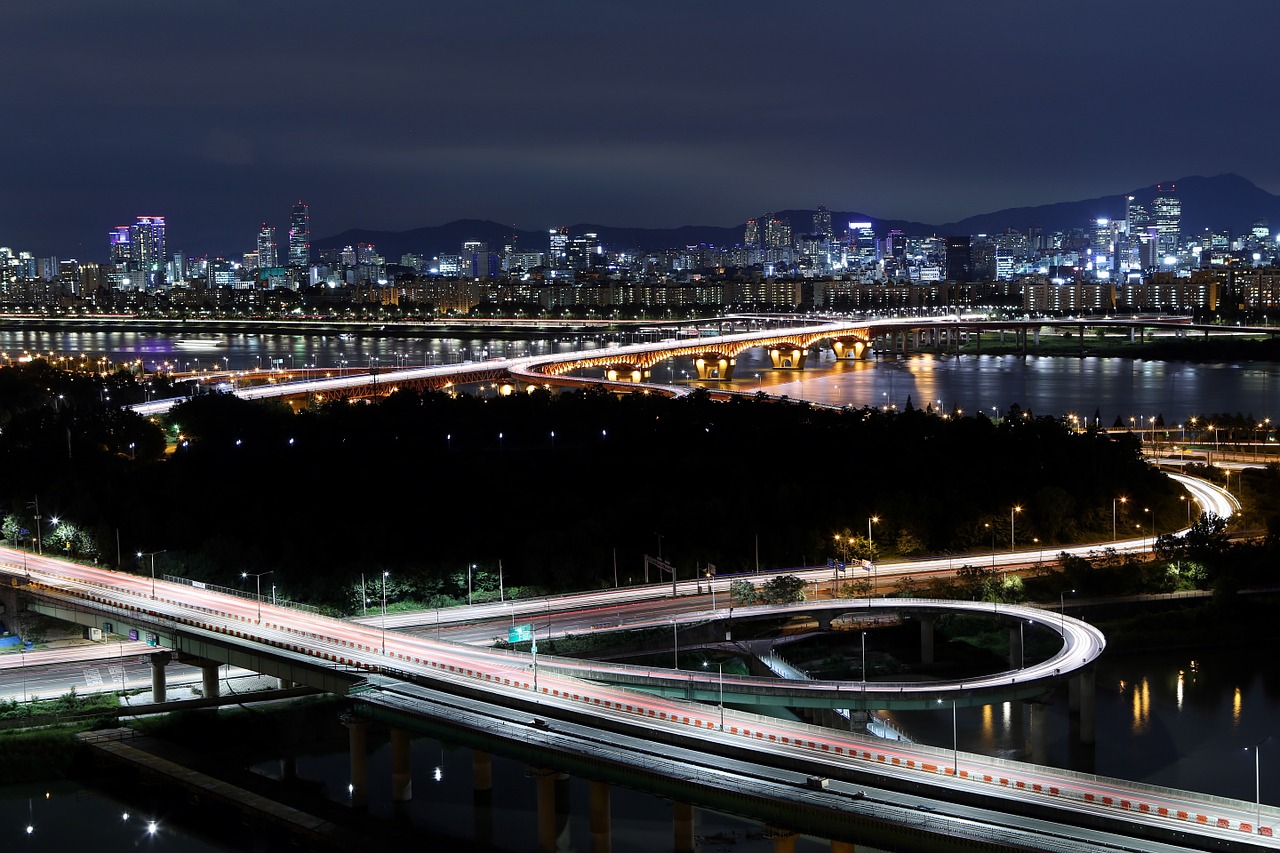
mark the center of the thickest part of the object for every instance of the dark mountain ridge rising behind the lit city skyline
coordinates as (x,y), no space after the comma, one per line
(1223,202)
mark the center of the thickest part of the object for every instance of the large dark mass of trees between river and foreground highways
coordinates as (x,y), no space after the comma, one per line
(423,486)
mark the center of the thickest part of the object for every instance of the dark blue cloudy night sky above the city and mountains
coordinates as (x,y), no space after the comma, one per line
(395,115)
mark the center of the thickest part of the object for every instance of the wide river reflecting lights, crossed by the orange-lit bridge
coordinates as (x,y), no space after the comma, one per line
(1109,389)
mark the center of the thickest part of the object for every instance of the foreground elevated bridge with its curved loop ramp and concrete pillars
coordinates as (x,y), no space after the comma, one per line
(391,678)
